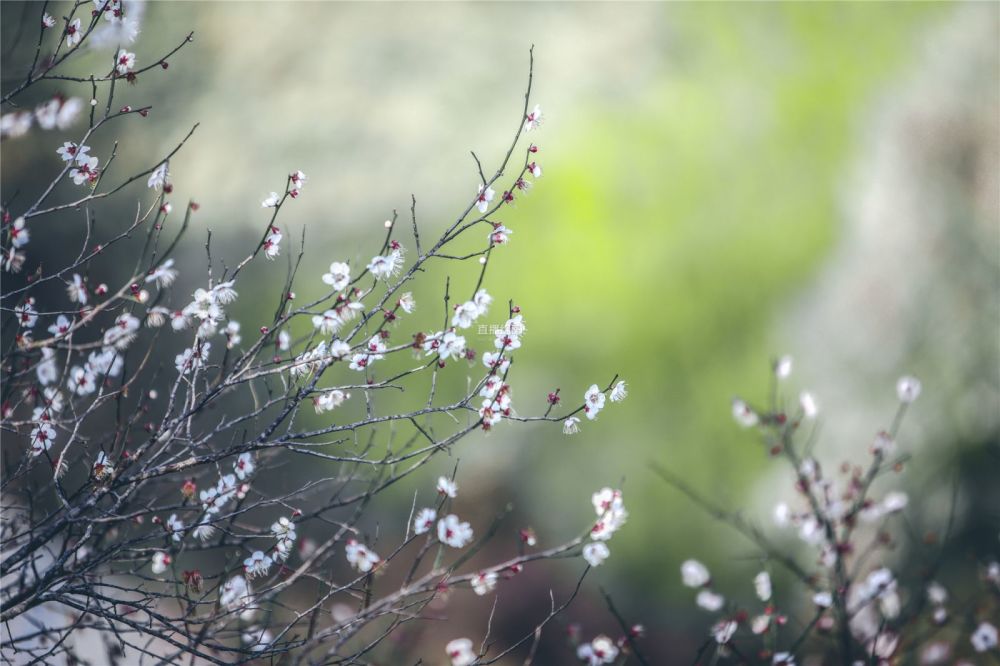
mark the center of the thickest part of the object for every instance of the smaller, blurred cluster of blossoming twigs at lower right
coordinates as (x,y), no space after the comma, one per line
(850,605)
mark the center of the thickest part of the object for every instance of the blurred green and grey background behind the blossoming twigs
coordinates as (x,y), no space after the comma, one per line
(722,184)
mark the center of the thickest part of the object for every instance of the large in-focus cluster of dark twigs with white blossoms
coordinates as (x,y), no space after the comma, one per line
(139,495)
